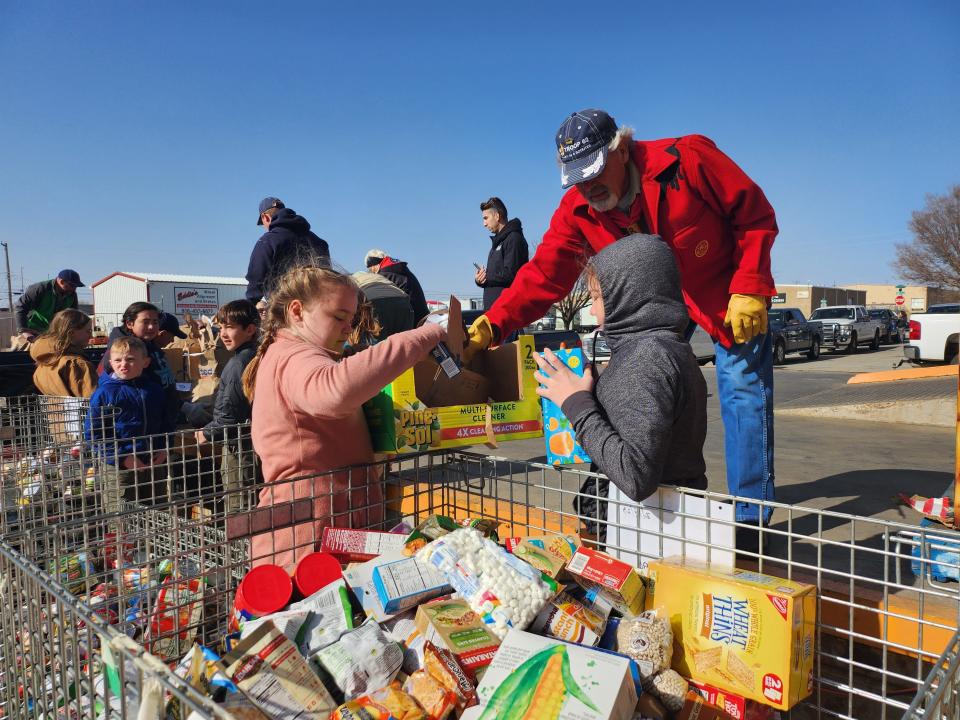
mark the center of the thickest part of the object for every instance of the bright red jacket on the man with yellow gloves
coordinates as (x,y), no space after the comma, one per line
(715,218)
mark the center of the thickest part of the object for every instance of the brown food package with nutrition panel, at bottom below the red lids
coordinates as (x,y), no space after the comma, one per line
(270,670)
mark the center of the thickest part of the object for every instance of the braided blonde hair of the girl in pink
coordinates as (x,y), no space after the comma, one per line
(306,284)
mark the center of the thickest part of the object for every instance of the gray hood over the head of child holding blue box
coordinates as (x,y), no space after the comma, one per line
(640,286)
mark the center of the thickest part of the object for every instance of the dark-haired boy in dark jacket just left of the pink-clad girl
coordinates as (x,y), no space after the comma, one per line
(239,327)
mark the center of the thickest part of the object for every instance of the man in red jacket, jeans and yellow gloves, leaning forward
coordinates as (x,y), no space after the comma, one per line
(720,227)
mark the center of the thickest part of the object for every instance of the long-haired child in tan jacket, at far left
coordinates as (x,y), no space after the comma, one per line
(62,368)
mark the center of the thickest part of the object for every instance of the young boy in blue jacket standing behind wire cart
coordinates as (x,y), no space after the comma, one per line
(126,411)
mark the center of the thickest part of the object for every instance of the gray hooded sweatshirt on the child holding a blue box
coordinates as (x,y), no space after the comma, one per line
(645,421)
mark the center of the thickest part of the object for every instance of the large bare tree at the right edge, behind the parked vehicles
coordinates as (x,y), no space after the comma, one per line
(933,256)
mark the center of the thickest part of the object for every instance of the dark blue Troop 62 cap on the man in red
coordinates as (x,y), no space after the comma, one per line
(582,143)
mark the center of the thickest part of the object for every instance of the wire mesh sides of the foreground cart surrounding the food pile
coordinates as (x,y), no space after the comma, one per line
(164,575)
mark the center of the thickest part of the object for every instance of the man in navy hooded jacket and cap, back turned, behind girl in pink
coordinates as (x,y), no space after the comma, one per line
(288,242)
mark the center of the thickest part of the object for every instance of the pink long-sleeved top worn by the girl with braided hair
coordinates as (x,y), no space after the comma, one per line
(307,419)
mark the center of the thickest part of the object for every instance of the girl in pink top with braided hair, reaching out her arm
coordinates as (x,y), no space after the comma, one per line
(307,419)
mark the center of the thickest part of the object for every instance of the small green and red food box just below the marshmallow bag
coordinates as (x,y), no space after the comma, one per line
(452,624)
